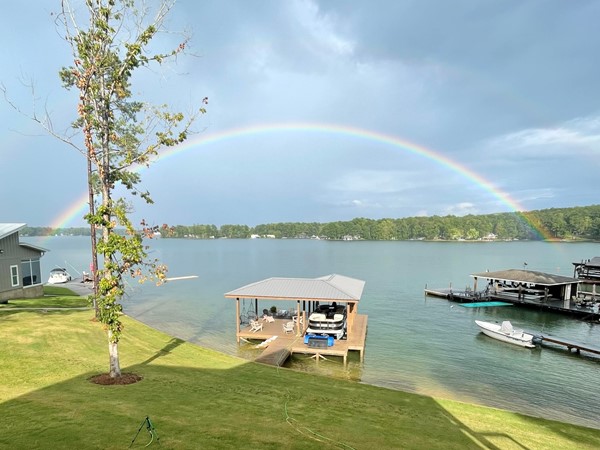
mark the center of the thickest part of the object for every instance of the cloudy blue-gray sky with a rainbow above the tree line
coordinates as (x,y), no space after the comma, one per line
(324,111)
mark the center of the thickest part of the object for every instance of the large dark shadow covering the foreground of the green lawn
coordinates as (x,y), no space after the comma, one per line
(241,405)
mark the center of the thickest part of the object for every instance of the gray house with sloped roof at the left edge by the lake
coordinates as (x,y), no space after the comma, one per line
(20,268)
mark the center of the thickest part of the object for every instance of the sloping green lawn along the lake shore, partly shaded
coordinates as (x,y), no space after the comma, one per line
(198,398)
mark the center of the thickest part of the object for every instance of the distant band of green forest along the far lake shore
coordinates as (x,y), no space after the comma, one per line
(576,223)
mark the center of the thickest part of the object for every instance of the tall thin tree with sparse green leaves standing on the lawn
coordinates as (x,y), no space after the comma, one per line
(119,135)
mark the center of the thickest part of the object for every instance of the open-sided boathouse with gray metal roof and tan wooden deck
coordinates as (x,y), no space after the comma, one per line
(304,295)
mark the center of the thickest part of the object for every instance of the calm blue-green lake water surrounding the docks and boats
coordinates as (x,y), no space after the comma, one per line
(415,343)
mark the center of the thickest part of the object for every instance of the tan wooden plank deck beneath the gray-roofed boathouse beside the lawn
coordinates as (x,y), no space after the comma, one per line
(280,349)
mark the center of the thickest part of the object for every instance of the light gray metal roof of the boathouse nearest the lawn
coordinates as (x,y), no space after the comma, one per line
(328,288)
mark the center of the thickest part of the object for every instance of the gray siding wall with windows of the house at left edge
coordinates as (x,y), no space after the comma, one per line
(12,255)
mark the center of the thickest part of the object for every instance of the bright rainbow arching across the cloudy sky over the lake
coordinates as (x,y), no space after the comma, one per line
(76,210)
